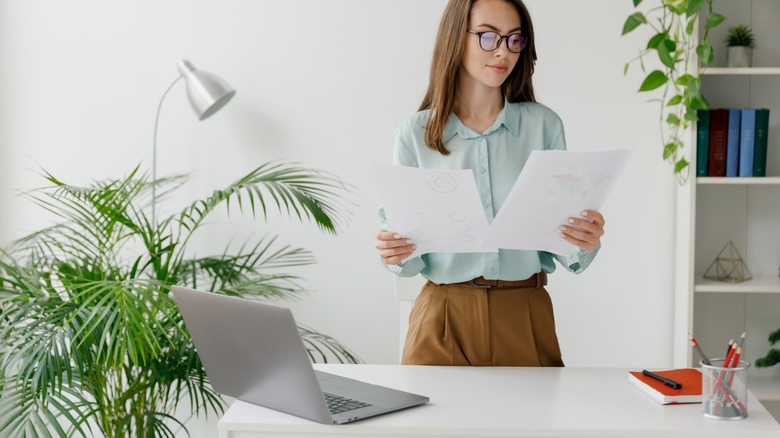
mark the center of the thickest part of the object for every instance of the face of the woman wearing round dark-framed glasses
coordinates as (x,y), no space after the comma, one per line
(490,69)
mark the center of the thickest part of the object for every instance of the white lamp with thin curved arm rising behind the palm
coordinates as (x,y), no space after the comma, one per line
(207,93)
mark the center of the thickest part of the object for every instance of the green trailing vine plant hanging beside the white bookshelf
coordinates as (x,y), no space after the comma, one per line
(674,42)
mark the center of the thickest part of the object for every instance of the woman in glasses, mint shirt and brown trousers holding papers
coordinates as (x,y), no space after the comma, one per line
(480,113)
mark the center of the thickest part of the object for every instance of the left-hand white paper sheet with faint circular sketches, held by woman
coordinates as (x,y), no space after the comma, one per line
(437,209)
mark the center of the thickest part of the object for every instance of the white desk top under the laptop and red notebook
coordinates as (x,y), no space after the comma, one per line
(503,402)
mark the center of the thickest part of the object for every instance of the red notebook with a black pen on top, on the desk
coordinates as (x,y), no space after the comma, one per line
(690,378)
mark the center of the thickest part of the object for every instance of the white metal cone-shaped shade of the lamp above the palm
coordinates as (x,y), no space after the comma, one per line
(207,92)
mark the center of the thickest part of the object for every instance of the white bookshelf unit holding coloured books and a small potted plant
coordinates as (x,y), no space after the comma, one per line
(714,210)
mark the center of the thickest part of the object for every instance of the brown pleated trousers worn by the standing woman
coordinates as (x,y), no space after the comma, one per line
(457,324)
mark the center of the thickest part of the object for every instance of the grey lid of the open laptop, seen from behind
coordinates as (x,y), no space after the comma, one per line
(274,372)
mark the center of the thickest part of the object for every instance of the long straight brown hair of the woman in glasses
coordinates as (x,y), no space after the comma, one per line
(445,66)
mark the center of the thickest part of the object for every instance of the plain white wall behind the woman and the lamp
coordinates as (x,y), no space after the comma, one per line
(325,83)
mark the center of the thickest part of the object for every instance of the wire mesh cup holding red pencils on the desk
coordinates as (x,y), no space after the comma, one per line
(724,390)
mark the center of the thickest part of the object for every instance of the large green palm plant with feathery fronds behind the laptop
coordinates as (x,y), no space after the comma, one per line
(92,341)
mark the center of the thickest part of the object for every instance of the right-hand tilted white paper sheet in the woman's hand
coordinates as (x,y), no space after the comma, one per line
(552,187)
